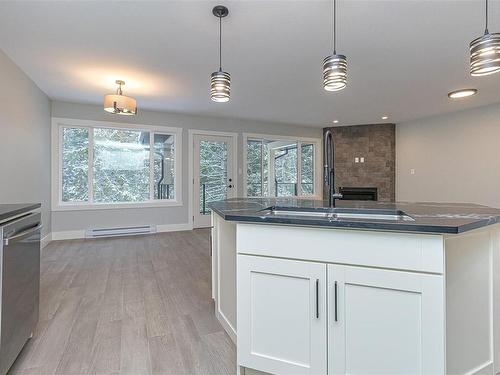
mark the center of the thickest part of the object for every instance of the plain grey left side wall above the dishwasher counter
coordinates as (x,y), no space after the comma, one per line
(24,140)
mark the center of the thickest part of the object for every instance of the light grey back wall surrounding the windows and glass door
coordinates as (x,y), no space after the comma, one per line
(63,221)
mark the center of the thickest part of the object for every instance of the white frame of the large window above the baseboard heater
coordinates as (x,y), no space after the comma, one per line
(56,155)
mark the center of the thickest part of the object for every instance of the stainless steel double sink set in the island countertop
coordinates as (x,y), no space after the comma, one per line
(338,213)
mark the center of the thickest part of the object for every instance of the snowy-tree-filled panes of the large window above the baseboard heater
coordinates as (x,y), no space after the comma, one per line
(103,165)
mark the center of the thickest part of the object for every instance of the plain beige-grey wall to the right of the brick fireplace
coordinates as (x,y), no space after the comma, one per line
(456,158)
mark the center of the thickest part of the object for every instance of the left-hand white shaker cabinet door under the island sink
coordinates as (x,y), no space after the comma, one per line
(282,315)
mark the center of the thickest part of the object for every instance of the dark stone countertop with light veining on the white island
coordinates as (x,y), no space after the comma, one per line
(443,218)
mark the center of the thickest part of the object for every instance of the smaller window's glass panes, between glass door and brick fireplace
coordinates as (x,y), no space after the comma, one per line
(274,167)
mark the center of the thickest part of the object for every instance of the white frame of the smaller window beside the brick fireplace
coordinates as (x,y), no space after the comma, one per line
(317,142)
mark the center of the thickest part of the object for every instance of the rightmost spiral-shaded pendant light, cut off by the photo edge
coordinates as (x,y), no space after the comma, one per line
(485,52)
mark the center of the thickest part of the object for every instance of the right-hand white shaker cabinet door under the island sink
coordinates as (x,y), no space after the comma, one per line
(385,322)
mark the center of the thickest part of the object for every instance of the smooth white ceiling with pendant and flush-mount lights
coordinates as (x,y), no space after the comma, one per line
(404,56)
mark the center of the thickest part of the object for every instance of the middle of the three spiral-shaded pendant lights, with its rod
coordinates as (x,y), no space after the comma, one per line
(334,66)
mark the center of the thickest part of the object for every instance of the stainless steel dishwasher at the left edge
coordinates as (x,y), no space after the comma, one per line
(20,283)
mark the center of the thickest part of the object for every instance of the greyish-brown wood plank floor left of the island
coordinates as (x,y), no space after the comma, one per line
(128,305)
